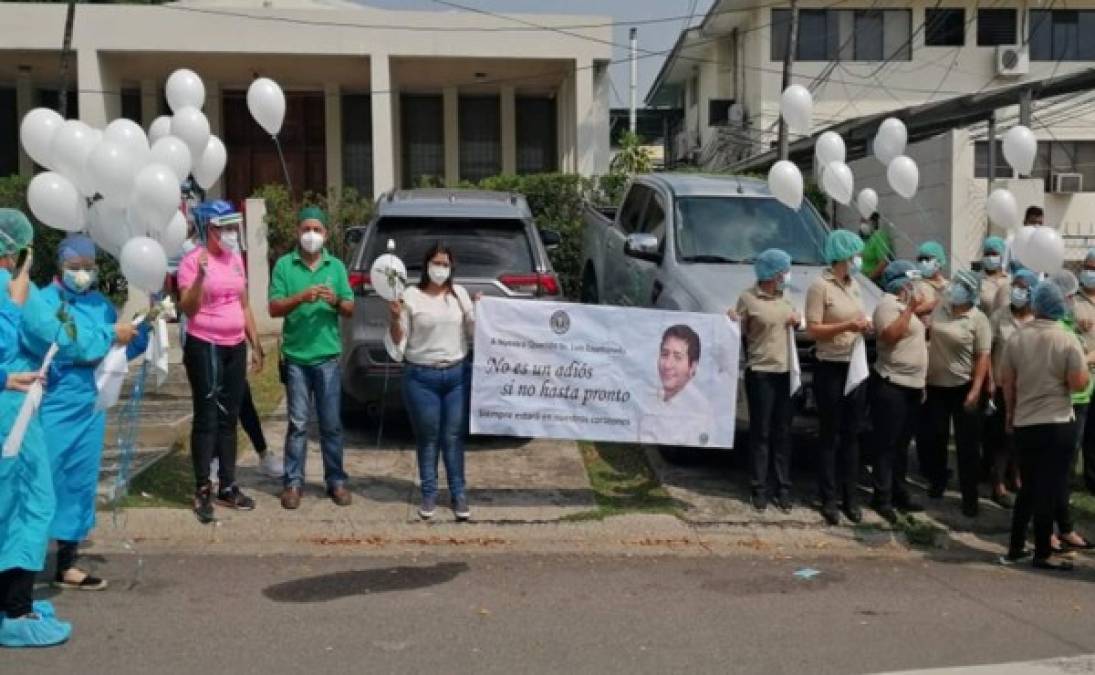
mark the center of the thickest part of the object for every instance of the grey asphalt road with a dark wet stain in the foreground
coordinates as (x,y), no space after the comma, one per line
(522,614)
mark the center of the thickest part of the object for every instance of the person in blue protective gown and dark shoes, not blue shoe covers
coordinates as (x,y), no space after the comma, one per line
(68,408)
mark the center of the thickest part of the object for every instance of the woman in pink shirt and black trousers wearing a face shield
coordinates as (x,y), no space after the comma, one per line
(214,296)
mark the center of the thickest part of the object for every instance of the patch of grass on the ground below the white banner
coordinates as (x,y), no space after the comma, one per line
(623,482)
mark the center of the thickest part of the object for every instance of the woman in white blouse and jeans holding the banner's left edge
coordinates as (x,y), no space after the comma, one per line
(430,329)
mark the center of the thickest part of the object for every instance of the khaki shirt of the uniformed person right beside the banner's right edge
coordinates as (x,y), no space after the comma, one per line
(765,326)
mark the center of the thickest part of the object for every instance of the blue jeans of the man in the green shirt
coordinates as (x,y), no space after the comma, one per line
(324,382)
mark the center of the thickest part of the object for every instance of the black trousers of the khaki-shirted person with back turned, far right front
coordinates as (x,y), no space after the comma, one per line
(1045,454)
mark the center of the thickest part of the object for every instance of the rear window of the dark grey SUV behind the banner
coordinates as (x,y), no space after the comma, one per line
(482,248)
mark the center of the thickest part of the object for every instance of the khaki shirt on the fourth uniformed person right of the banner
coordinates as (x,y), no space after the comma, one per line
(956,341)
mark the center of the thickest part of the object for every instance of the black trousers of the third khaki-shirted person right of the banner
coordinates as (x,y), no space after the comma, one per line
(894,411)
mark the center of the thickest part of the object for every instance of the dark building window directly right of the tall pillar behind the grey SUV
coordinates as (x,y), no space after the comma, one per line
(423,131)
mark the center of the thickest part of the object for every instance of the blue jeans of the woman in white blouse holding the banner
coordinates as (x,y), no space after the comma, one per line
(437,403)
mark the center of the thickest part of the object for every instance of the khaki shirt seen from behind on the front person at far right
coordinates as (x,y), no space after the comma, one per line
(1042,384)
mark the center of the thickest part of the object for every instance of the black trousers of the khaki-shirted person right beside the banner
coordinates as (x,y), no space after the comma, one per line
(769,397)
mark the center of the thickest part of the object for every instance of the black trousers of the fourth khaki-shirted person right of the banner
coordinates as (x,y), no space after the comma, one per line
(947,405)
